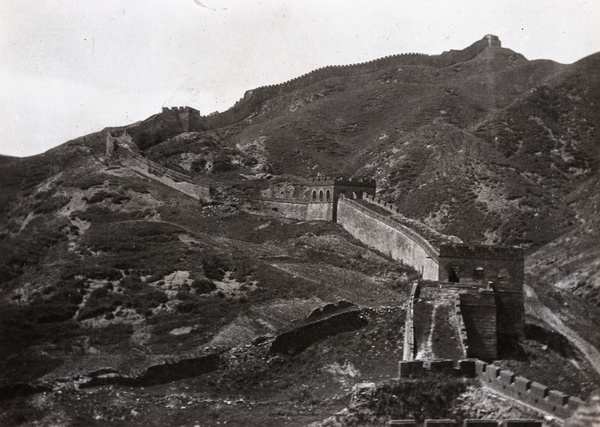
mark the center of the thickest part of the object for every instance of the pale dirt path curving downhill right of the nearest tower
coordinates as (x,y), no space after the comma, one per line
(536,308)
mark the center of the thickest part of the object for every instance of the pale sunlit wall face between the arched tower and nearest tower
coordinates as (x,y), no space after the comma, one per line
(387,236)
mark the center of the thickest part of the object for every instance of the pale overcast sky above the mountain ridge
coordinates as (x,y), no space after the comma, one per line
(71,67)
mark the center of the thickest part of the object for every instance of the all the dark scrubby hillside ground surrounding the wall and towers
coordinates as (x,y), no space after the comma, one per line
(123,301)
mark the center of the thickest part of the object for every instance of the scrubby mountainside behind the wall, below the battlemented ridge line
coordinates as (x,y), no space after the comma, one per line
(488,149)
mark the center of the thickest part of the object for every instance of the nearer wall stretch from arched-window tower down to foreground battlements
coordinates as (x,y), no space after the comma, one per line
(483,304)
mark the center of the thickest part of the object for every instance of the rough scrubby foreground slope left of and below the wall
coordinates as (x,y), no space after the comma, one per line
(109,277)
